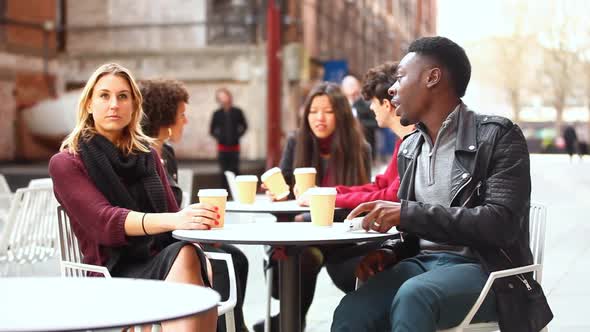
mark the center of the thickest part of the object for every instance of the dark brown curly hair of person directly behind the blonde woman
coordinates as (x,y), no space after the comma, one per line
(160,103)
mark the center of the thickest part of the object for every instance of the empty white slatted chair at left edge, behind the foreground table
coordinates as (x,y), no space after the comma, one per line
(29,235)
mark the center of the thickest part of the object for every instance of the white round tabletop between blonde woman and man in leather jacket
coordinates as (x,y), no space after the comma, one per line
(281,233)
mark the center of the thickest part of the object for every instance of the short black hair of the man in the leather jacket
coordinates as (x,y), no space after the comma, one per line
(449,55)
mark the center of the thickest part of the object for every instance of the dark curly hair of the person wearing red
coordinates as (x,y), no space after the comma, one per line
(378,80)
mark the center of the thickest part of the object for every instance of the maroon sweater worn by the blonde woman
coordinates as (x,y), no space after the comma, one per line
(96,223)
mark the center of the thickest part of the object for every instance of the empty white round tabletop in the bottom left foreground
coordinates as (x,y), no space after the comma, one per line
(67,304)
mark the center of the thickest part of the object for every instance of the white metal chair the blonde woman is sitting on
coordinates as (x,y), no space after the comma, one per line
(71,266)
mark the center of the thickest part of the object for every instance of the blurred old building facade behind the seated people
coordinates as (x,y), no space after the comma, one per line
(206,44)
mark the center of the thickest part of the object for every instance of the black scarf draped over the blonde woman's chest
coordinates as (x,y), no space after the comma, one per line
(131,182)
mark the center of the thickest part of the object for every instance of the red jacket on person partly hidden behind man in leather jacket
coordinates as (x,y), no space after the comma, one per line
(384,188)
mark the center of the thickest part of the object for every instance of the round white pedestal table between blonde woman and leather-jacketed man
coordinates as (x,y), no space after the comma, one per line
(292,235)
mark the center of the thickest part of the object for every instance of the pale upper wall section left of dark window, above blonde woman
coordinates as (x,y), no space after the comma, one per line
(95,14)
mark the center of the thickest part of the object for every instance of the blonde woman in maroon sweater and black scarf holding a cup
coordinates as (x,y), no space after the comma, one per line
(118,198)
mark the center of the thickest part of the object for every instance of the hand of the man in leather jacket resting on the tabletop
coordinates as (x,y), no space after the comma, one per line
(381,216)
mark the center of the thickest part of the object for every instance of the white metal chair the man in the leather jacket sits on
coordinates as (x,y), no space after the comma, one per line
(537,221)
